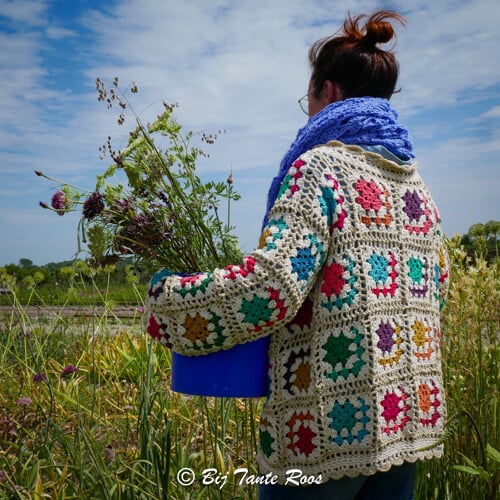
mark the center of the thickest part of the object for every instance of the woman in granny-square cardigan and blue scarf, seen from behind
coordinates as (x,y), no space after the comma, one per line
(348,281)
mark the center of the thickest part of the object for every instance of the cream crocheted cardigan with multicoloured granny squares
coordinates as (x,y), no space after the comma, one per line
(348,280)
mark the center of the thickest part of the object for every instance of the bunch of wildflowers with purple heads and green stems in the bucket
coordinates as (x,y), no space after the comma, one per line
(149,203)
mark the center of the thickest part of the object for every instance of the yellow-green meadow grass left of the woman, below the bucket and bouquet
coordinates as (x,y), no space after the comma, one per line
(86,412)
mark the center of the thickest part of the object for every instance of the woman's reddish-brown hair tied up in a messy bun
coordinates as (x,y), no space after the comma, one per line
(352,59)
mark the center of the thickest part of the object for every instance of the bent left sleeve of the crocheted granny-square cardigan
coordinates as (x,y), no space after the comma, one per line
(211,311)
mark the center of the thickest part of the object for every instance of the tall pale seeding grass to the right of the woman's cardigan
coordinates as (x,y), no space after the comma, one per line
(470,468)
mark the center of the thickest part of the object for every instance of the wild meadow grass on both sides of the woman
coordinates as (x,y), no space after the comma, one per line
(86,410)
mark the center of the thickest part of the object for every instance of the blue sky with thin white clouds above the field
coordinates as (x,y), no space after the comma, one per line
(239,66)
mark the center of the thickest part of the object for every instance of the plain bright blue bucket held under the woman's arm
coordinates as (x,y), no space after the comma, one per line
(239,372)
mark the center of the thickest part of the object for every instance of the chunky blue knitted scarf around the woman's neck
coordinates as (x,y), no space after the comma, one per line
(362,121)
